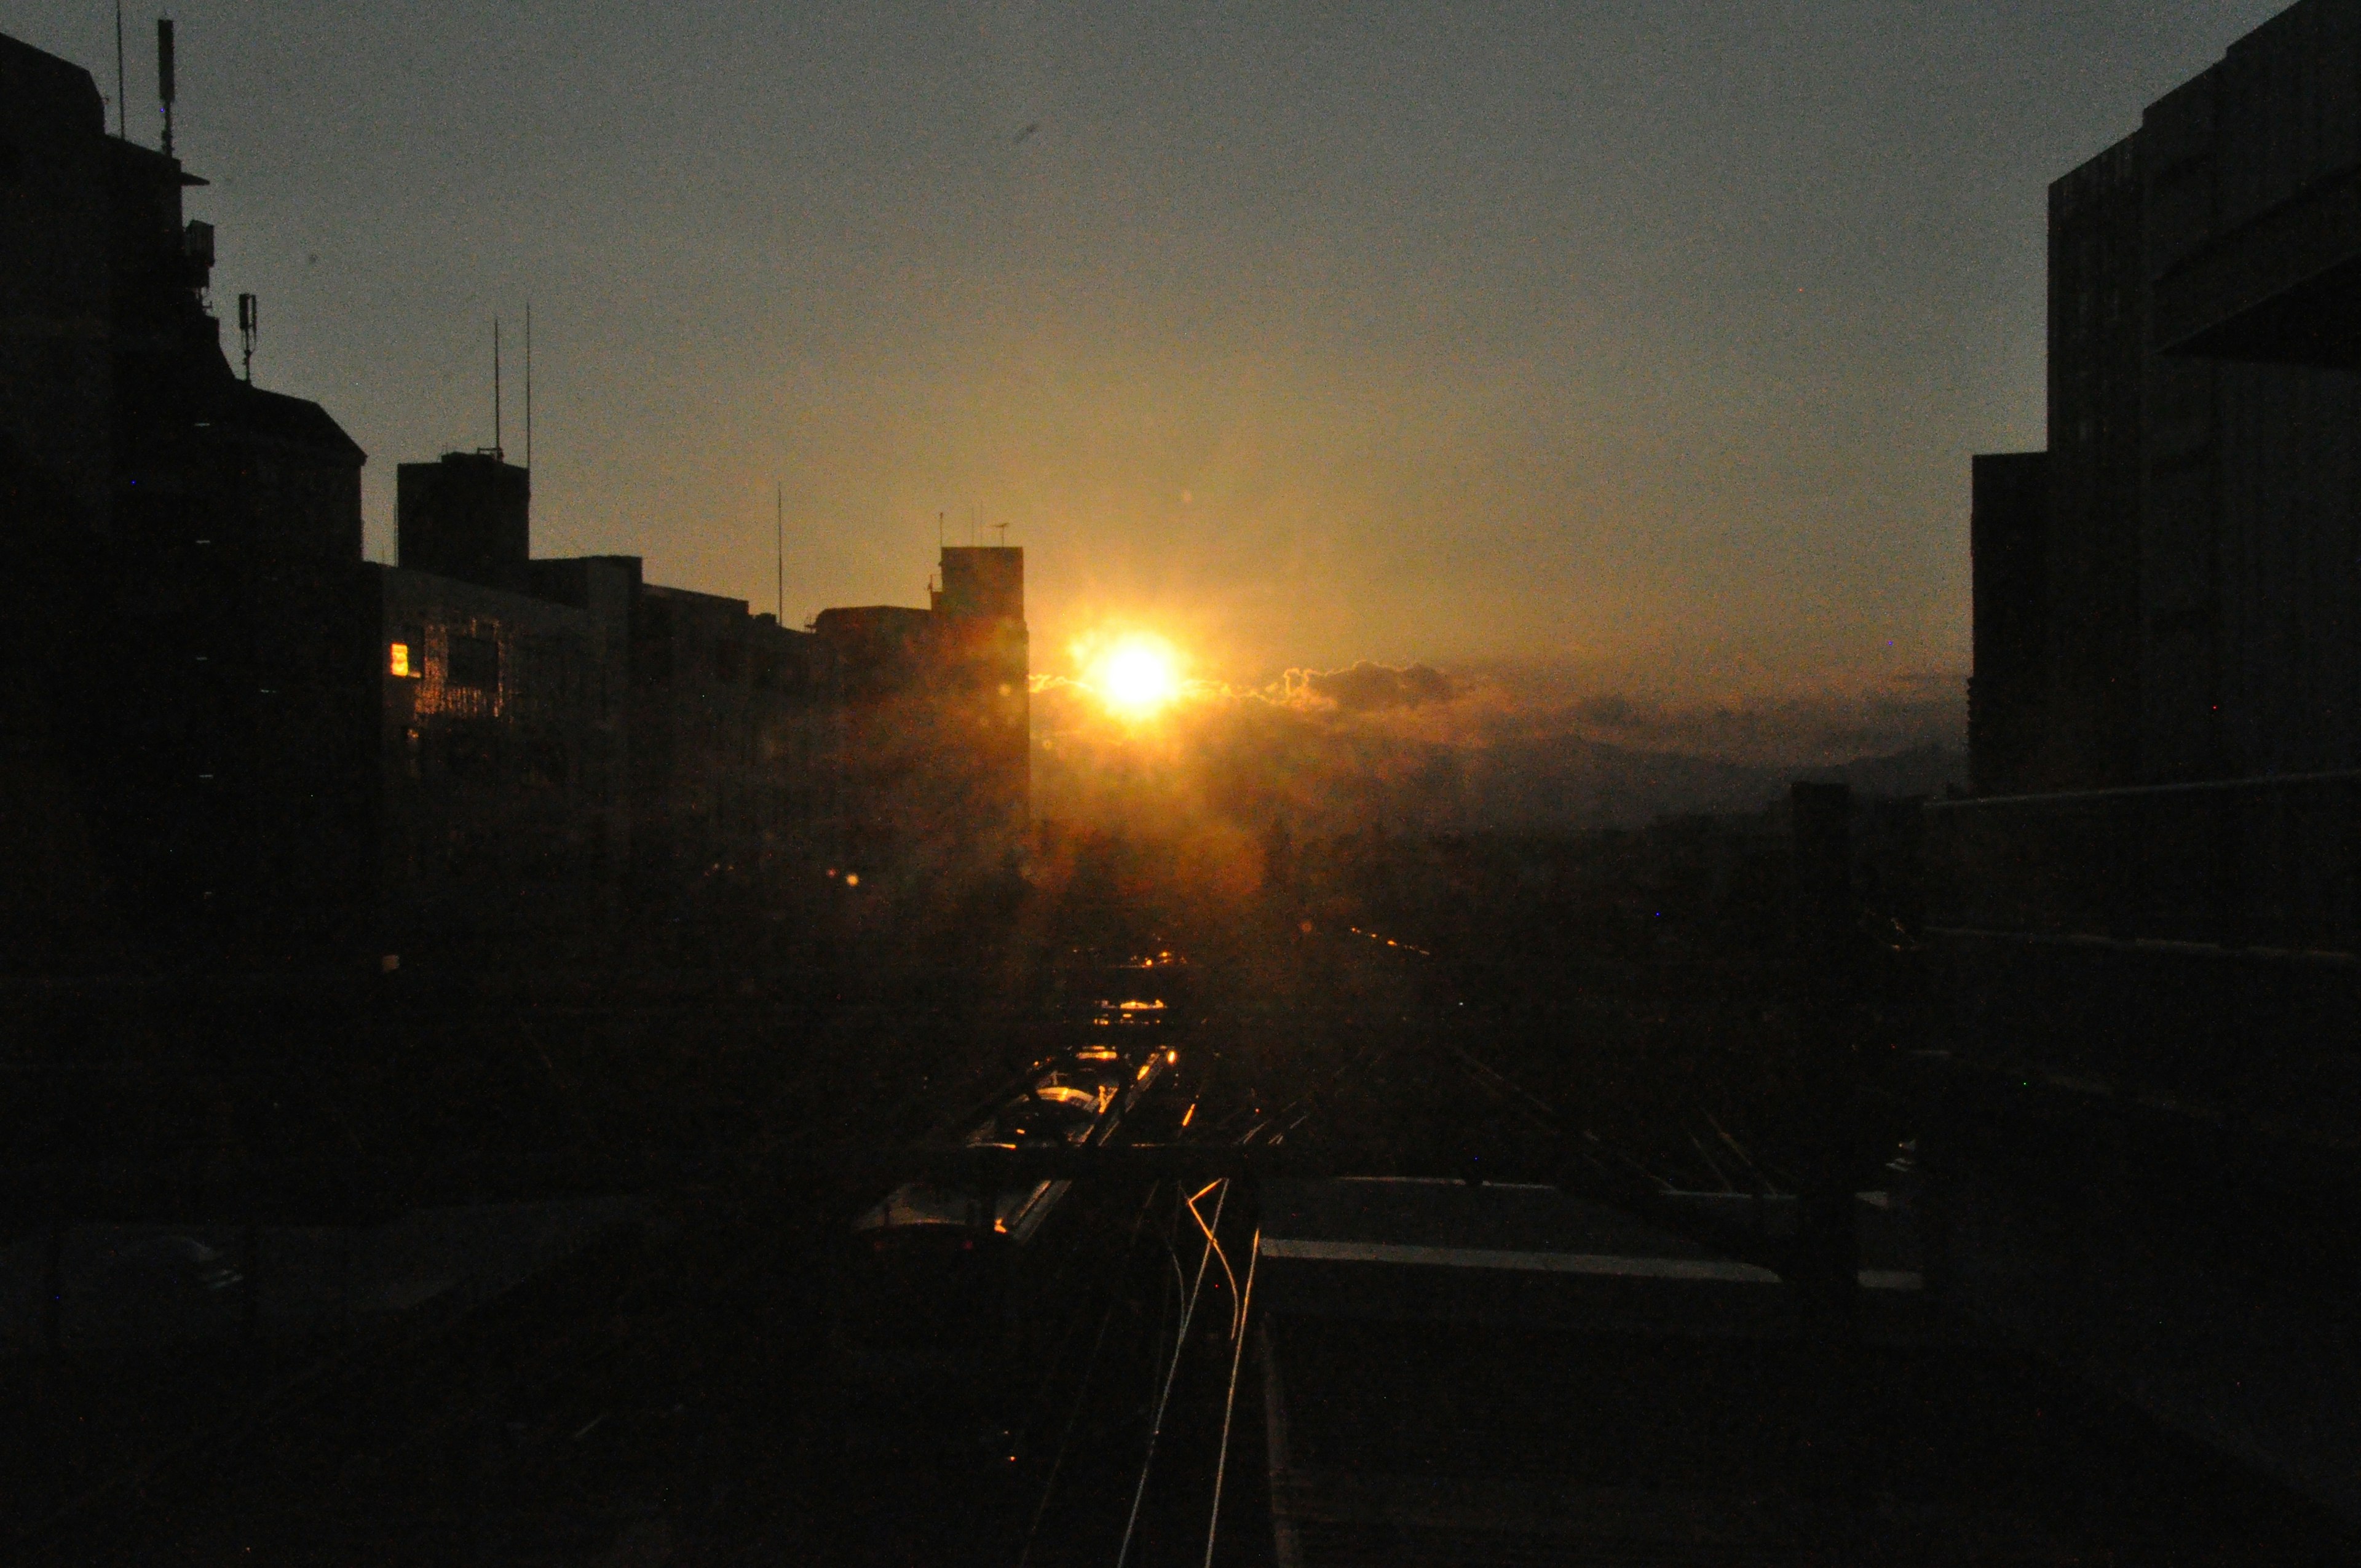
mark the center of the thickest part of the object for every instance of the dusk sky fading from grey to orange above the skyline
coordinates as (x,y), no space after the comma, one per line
(1607,344)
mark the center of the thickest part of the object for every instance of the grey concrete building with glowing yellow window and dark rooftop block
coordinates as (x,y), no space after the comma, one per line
(634,745)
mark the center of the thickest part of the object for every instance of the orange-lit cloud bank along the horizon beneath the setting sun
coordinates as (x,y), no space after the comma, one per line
(1444,752)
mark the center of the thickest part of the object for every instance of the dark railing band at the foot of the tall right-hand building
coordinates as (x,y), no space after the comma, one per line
(2235,865)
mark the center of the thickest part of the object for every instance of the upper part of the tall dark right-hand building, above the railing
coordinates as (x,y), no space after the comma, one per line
(2204,473)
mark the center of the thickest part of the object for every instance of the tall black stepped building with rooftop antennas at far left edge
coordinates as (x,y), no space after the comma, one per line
(183,554)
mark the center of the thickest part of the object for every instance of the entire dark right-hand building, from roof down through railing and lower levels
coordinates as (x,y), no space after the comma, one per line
(2150,925)
